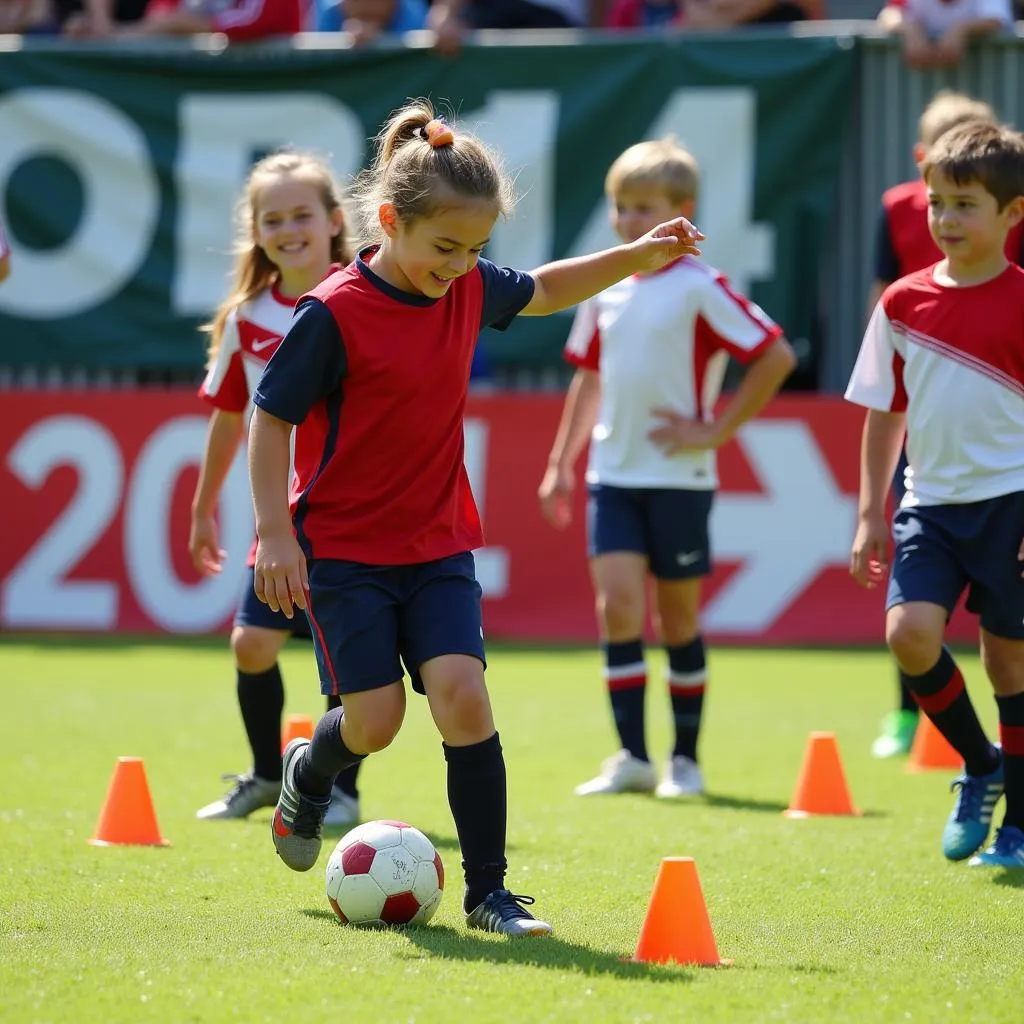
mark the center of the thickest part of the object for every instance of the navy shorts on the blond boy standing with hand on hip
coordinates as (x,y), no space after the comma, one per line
(667,525)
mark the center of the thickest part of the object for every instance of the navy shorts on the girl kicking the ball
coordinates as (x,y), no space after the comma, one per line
(370,620)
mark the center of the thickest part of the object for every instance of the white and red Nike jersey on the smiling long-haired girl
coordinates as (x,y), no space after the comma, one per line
(252,334)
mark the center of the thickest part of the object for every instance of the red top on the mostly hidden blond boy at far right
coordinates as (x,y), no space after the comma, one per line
(907,244)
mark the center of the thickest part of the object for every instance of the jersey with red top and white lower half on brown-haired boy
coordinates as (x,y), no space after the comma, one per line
(953,359)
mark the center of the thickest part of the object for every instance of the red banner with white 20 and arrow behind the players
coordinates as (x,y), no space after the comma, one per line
(96,487)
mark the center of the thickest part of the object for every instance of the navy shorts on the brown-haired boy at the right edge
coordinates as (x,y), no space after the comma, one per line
(943,550)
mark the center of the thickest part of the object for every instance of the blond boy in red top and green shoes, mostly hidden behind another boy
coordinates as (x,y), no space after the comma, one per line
(905,244)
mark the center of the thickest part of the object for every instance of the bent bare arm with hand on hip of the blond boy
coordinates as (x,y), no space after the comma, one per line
(760,385)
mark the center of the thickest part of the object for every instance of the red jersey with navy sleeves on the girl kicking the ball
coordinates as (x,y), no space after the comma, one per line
(376,379)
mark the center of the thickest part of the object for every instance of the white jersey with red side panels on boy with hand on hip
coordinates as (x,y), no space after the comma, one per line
(662,340)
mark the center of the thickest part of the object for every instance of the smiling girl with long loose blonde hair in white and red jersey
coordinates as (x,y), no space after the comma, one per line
(292,232)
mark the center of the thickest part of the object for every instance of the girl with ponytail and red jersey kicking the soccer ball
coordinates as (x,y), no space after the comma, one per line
(376,541)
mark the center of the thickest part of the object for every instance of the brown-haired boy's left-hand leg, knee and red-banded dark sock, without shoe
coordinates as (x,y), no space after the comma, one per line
(915,633)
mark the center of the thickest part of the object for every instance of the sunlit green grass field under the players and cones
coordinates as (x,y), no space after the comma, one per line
(828,920)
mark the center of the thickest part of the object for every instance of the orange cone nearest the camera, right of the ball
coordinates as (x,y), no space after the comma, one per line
(676,928)
